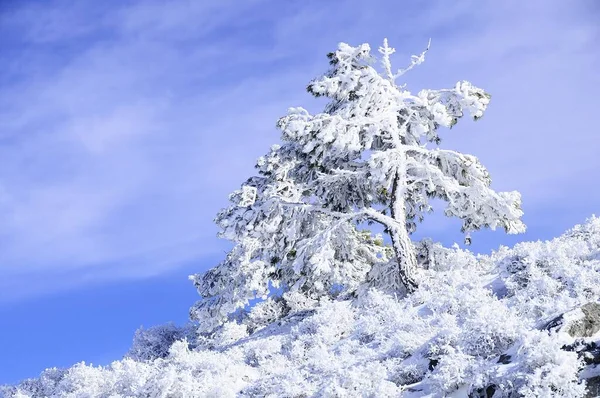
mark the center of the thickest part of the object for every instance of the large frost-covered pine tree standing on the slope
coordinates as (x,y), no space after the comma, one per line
(370,157)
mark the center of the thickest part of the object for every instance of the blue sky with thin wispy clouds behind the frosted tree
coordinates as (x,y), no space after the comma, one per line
(125,124)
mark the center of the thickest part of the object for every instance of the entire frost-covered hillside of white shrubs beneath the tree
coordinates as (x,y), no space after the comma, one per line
(511,324)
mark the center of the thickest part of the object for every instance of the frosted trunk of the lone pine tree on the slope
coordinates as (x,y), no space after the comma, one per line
(403,247)
